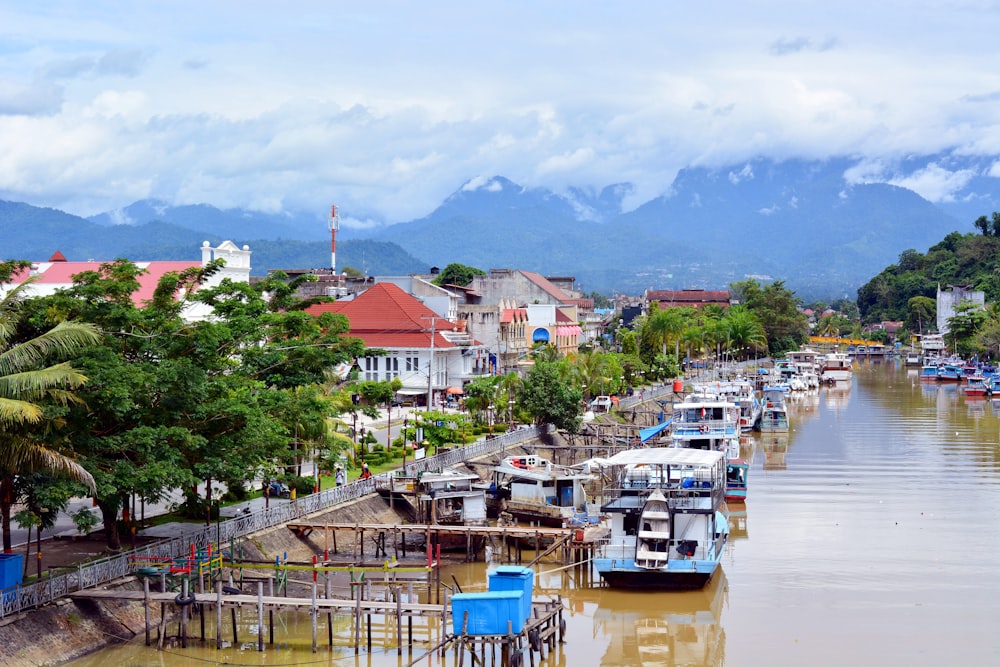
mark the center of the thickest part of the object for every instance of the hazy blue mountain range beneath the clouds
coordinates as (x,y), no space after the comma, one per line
(798,221)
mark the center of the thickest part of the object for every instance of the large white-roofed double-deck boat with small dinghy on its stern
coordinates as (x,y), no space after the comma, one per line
(667,528)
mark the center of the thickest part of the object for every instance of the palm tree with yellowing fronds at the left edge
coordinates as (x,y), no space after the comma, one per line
(26,383)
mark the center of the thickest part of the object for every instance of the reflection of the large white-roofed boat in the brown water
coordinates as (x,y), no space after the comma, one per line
(663,629)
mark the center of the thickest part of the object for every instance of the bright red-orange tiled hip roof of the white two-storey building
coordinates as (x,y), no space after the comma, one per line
(386,316)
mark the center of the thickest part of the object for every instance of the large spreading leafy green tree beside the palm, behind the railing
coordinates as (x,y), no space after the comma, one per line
(173,403)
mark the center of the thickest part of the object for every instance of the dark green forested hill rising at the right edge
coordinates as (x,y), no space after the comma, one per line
(959,259)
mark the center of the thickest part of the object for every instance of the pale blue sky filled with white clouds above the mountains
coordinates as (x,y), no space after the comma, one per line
(387,108)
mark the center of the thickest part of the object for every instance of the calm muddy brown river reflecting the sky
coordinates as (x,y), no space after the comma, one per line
(867,539)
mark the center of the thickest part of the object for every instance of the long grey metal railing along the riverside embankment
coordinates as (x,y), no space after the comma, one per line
(22,598)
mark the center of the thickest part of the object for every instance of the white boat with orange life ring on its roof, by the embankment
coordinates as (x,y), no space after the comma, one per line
(533,489)
